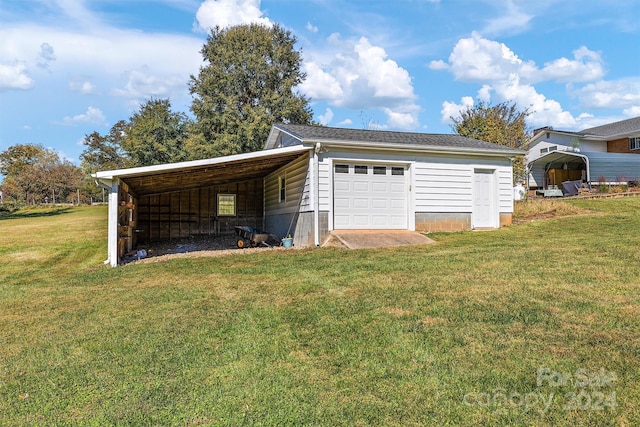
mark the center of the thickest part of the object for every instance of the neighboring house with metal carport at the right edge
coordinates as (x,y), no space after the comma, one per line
(608,153)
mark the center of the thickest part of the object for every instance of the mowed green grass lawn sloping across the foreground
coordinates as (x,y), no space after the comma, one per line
(453,333)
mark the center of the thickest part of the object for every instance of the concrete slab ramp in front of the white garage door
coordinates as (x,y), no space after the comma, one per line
(363,239)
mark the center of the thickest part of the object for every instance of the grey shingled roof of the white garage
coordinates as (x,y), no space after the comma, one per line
(429,140)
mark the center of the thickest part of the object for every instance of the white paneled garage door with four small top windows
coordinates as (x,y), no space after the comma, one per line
(369,196)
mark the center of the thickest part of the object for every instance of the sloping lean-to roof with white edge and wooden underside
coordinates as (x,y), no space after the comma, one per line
(144,181)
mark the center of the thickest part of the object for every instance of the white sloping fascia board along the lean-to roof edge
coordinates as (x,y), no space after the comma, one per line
(172,167)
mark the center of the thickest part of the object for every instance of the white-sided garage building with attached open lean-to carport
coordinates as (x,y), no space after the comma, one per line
(311,180)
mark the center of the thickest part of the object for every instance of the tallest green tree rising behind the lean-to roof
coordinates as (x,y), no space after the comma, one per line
(248,83)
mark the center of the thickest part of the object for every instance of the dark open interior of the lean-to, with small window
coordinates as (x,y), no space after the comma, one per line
(208,200)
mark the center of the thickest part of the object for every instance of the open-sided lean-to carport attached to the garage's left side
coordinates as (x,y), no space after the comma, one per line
(182,199)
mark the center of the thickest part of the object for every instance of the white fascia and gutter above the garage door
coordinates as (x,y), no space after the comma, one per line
(413,148)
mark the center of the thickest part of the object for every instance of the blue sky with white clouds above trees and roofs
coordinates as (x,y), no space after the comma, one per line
(71,67)
